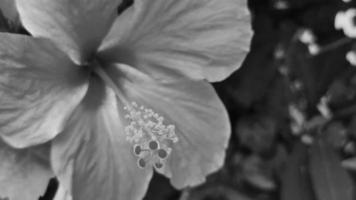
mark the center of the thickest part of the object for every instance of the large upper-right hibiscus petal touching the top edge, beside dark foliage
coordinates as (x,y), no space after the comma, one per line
(200,38)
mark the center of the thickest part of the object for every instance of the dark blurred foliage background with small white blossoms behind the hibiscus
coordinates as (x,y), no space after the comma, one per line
(292,107)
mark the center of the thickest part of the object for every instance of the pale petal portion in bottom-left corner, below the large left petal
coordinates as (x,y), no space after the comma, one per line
(25,173)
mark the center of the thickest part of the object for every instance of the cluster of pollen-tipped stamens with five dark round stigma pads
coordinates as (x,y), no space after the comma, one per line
(151,139)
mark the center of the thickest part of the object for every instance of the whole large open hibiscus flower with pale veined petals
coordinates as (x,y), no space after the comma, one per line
(117,96)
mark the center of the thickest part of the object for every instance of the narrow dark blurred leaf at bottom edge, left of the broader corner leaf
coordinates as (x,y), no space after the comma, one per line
(296,183)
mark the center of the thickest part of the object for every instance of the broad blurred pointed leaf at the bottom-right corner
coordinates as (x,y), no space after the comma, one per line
(330,180)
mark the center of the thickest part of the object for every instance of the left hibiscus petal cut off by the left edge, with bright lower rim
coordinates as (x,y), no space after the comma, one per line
(39,88)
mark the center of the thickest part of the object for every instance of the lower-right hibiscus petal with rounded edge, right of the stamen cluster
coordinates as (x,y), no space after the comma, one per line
(200,119)
